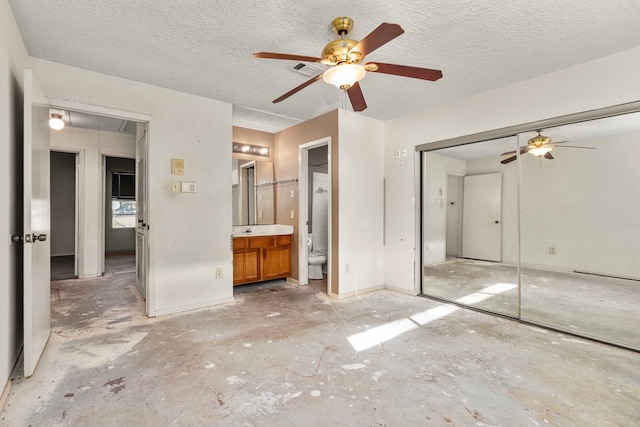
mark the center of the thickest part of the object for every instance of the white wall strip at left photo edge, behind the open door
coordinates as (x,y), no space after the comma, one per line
(13,57)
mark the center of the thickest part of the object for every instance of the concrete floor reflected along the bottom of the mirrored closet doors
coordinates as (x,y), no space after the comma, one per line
(595,306)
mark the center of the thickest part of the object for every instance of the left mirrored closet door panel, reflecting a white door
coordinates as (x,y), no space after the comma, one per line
(470,231)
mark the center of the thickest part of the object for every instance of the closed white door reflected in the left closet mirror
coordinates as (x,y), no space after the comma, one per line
(482,219)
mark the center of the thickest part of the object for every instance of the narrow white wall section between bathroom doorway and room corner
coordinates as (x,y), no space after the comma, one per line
(361,175)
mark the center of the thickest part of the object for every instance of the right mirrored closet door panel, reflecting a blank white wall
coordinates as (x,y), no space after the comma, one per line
(580,225)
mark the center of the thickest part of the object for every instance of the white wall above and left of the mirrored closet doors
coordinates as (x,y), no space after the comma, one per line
(605,82)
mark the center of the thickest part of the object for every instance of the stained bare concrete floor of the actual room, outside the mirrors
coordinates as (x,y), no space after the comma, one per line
(287,356)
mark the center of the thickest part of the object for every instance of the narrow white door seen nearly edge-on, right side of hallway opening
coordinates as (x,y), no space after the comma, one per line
(141,210)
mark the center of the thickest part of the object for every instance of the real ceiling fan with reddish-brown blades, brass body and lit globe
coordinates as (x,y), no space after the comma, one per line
(345,55)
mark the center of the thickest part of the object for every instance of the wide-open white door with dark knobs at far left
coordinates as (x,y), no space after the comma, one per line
(37,248)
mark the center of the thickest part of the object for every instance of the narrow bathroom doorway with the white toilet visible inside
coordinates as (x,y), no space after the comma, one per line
(315,215)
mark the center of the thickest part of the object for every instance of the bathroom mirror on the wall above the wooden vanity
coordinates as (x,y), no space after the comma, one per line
(252,192)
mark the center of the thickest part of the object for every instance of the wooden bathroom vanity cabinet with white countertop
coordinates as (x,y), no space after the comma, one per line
(261,253)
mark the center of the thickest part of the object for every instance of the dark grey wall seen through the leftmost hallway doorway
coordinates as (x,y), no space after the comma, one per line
(63,203)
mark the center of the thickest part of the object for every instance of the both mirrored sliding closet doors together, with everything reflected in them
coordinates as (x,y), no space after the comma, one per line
(569,228)
